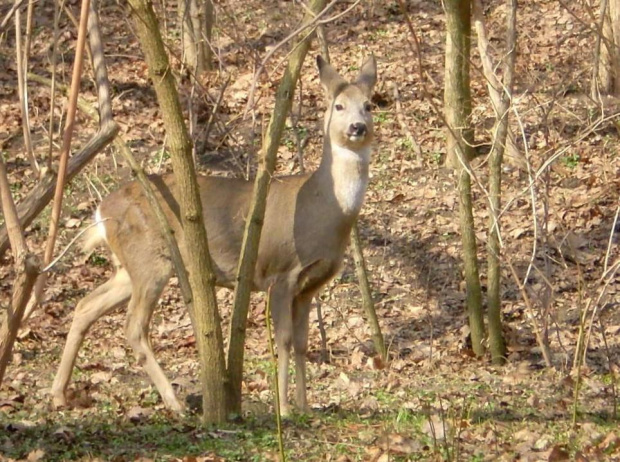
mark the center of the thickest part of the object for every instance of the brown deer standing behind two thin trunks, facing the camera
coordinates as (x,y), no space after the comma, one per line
(308,220)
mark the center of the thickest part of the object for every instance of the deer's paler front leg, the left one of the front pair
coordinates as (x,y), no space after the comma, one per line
(281,312)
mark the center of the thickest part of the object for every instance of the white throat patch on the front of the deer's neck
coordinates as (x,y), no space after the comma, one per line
(349,171)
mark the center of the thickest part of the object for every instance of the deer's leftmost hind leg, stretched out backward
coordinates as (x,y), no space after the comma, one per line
(102,300)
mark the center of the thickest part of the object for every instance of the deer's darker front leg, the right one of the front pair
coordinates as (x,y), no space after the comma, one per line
(301,313)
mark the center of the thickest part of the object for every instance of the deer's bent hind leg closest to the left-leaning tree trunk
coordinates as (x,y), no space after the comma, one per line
(143,301)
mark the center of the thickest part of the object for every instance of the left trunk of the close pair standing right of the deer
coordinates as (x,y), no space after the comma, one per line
(457,101)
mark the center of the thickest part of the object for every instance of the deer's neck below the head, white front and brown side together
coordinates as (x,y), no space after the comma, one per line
(344,173)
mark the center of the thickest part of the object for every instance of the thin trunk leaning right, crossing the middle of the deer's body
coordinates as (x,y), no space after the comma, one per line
(251,238)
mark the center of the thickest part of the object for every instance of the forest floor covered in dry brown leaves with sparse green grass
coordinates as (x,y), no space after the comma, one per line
(433,399)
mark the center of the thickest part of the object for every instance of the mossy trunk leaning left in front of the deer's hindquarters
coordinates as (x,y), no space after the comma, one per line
(205,316)
